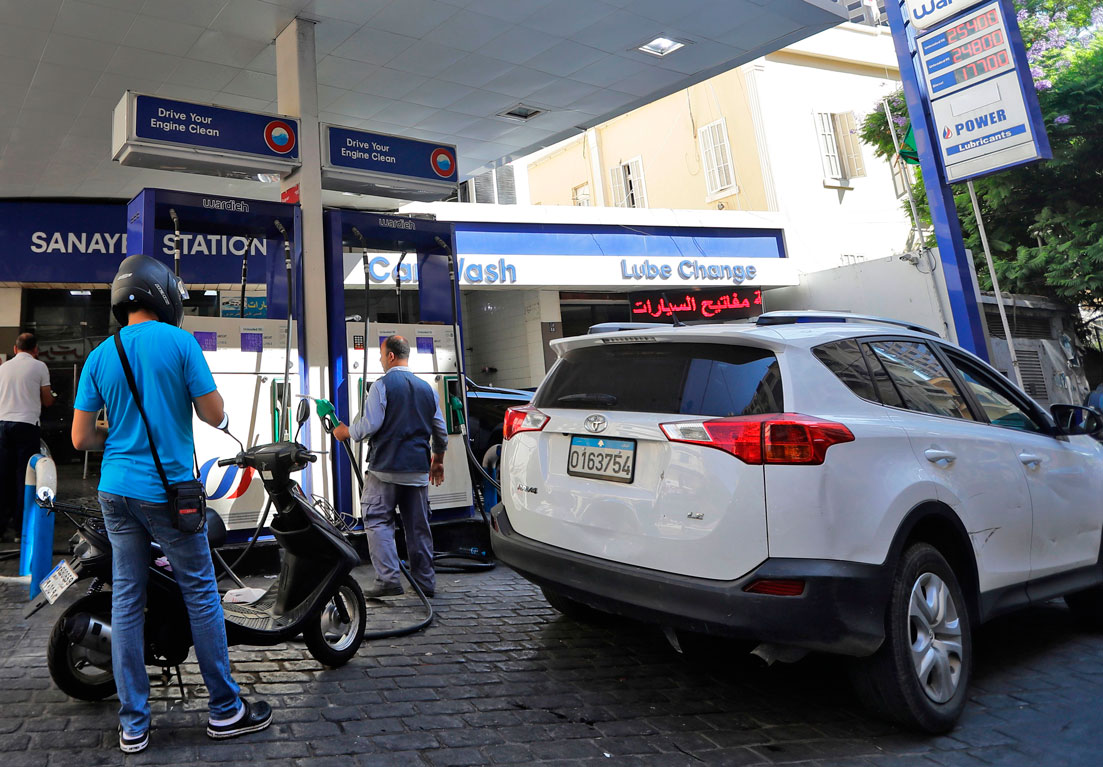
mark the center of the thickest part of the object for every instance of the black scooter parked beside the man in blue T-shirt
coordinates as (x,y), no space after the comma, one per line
(315,595)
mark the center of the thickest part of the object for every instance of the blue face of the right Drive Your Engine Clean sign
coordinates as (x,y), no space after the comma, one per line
(359,151)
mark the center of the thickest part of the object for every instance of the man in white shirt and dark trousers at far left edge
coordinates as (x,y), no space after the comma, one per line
(25,391)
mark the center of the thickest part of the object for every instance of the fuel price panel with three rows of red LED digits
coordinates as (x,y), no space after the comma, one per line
(973,50)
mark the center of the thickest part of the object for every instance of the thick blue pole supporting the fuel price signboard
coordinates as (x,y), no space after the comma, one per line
(958,269)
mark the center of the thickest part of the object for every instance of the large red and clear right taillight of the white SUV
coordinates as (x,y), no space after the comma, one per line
(780,439)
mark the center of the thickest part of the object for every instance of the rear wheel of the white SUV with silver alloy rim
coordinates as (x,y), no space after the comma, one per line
(920,676)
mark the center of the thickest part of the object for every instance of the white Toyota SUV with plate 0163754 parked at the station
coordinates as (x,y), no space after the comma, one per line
(831,484)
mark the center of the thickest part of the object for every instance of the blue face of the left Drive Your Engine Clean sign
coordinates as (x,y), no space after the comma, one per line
(197,125)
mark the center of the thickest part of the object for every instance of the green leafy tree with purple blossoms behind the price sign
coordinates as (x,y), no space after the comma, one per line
(1044,220)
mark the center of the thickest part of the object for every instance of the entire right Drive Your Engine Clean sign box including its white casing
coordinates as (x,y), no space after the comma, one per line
(388,166)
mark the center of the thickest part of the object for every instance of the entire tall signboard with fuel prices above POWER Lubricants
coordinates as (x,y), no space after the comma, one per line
(982,98)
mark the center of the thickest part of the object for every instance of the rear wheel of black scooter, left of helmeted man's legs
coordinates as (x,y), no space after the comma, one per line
(79,672)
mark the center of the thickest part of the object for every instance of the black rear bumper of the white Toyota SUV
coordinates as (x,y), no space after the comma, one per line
(842,610)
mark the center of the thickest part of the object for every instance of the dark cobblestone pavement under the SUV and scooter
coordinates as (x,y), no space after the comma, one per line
(501,679)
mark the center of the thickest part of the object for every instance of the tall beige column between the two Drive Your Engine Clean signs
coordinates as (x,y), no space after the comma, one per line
(297,93)
